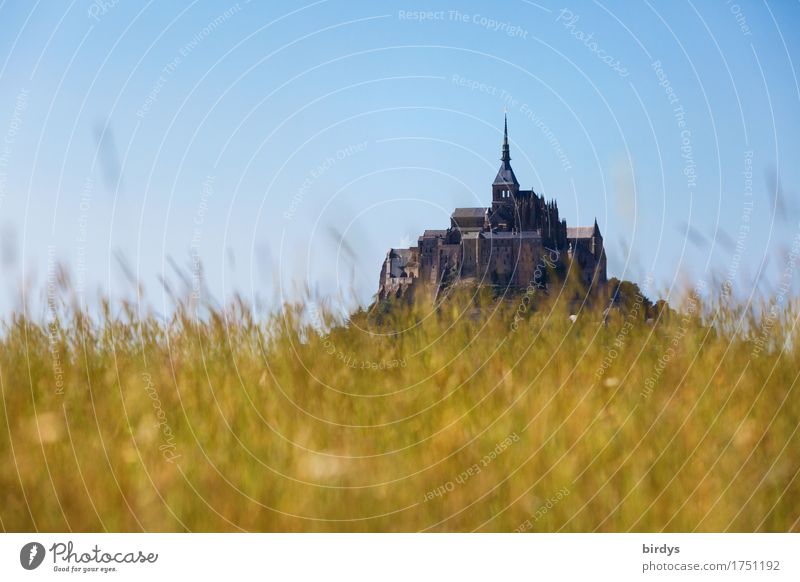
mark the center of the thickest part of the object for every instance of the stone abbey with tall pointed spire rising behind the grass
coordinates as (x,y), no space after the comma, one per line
(512,243)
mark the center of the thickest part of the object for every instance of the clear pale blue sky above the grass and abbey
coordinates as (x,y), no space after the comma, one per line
(257,137)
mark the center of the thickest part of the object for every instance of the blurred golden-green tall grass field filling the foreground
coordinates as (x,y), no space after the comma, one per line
(487,418)
